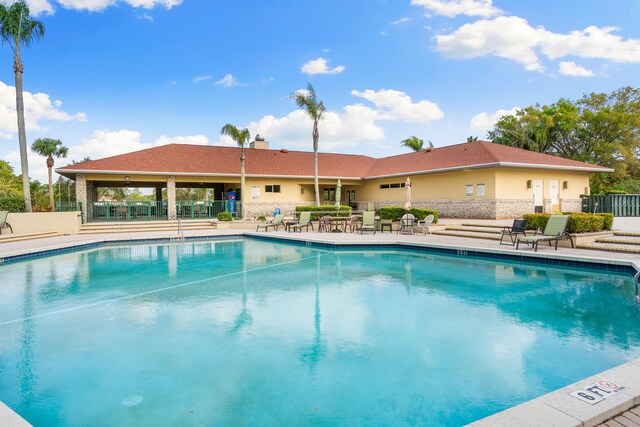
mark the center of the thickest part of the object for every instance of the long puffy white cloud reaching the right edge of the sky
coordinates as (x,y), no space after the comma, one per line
(514,38)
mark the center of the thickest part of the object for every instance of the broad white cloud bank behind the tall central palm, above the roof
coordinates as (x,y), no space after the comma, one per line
(355,124)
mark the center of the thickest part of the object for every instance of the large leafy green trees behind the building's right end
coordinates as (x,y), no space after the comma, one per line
(599,128)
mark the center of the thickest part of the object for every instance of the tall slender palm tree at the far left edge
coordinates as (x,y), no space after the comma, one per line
(17,28)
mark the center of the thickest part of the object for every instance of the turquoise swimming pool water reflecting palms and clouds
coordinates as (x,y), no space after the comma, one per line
(247,332)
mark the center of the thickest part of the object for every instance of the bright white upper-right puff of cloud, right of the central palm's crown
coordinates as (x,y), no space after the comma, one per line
(397,105)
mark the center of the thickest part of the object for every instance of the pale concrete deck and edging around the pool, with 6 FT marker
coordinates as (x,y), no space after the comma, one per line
(557,408)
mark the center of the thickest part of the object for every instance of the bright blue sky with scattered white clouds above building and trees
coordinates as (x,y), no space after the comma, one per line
(112,76)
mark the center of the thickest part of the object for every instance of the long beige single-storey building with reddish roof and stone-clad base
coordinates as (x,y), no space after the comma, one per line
(477,179)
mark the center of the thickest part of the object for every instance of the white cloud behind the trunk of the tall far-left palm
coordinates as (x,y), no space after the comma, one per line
(38,107)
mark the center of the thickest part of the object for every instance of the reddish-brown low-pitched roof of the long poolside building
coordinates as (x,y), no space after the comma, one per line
(183,159)
